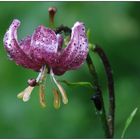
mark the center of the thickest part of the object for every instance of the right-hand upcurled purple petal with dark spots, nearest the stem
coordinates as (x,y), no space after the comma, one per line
(76,51)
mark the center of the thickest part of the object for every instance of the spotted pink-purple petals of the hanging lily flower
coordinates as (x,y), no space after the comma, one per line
(44,47)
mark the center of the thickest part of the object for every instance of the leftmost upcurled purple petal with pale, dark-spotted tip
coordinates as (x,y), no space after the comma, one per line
(13,49)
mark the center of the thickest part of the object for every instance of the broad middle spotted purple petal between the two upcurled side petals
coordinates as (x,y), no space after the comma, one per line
(45,45)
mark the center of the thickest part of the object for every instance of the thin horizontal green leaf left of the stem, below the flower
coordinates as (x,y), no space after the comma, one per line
(87,84)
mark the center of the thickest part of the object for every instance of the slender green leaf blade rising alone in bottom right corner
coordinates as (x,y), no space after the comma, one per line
(128,122)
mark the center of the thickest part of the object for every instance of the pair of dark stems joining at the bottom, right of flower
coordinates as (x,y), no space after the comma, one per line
(108,122)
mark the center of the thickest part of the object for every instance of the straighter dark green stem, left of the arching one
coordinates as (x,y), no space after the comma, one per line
(99,92)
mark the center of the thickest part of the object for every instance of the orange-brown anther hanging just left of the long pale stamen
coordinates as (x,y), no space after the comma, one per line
(56,102)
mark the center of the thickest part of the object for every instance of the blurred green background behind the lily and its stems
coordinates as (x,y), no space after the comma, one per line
(116,27)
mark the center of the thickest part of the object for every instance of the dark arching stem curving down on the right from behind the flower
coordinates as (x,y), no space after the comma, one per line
(110,79)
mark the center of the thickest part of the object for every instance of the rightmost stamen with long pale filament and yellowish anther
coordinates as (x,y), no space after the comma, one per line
(62,91)
